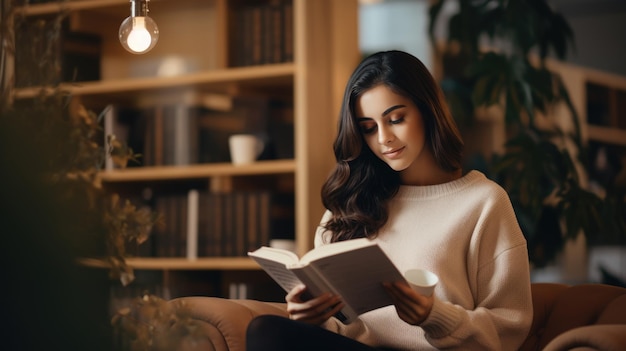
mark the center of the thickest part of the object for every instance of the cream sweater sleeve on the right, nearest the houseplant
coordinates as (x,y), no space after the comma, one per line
(500,278)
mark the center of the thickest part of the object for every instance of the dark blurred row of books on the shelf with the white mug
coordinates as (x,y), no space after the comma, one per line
(183,134)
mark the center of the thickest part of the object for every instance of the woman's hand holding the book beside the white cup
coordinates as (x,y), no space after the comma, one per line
(411,307)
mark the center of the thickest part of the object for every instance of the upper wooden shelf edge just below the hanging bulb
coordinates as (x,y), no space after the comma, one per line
(204,78)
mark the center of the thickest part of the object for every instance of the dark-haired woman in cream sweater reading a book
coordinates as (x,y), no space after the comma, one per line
(398,181)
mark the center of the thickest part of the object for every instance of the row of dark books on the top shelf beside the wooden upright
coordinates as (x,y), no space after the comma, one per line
(264,33)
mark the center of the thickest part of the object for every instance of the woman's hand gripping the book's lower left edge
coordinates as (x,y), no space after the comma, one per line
(313,311)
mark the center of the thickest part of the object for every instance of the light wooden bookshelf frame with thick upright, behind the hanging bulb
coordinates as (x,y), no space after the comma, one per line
(202,37)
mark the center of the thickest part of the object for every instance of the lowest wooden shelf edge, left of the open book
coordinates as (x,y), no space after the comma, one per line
(180,263)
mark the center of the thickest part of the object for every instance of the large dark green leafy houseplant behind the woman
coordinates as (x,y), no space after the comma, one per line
(494,55)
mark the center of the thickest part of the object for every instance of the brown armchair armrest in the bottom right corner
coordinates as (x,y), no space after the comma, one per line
(599,337)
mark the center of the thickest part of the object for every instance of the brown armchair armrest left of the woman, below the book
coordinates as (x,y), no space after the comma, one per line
(224,321)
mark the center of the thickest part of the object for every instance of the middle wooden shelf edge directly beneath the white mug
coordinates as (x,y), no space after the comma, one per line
(198,171)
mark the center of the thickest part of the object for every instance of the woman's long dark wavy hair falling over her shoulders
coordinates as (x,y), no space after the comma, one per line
(359,188)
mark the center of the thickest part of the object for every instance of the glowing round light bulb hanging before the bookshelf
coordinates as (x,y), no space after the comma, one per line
(138,32)
